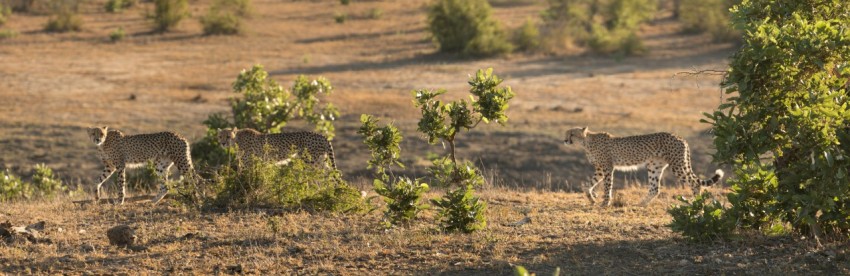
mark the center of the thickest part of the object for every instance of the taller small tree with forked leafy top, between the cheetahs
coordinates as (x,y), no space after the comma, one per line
(442,122)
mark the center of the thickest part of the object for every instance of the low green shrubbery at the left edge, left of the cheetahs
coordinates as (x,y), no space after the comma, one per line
(44,185)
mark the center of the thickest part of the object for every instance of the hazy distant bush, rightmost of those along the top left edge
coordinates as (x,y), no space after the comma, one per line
(225,16)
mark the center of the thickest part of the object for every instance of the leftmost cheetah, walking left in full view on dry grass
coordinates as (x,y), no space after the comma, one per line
(119,151)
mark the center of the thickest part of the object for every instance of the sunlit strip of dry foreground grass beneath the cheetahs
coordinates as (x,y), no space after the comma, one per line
(564,232)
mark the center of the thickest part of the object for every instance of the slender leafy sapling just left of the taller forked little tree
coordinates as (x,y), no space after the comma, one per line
(402,194)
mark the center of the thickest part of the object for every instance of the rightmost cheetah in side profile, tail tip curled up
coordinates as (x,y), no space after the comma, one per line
(656,151)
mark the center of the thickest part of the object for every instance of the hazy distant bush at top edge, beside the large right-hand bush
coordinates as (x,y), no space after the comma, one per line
(710,16)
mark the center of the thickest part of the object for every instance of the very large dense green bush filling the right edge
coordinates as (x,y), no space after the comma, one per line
(786,126)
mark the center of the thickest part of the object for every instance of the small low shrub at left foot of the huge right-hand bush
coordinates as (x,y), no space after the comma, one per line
(699,220)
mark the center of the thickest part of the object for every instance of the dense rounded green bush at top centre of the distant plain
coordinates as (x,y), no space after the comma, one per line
(467,27)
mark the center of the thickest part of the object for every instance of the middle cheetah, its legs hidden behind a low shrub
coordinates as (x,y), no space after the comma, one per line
(252,143)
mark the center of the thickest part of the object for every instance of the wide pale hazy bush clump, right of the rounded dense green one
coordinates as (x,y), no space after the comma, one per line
(605,27)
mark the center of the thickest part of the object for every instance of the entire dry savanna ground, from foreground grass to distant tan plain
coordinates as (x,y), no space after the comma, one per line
(55,85)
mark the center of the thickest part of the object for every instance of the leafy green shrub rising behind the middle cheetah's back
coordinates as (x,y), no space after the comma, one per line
(266,107)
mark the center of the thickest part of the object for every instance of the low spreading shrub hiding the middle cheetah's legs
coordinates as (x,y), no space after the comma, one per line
(295,185)
